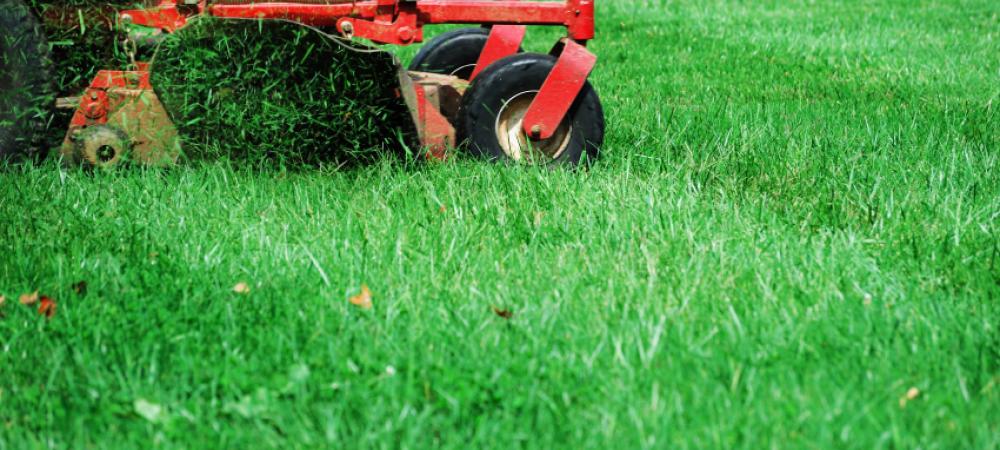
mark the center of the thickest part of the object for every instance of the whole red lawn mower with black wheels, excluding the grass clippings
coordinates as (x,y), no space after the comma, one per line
(470,88)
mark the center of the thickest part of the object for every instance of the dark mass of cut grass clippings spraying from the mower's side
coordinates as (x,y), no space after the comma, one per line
(252,91)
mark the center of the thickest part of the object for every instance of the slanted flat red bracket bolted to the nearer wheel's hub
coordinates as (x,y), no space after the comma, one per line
(559,91)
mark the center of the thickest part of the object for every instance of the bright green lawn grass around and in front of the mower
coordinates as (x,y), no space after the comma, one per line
(797,220)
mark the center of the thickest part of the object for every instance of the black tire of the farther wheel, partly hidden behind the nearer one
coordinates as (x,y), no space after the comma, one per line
(452,53)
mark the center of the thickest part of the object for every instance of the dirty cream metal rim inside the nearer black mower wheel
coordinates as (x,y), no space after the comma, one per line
(515,142)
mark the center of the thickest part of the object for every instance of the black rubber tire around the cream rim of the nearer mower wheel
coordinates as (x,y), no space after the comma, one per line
(514,75)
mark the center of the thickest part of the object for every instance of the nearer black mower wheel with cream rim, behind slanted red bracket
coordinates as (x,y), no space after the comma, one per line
(491,119)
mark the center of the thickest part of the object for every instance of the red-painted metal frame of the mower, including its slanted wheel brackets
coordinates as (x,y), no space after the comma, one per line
(401,22)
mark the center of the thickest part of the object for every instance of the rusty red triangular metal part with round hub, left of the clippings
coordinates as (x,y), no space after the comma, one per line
(126,103)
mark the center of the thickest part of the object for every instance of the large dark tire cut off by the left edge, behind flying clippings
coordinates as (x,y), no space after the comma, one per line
(28,96)
